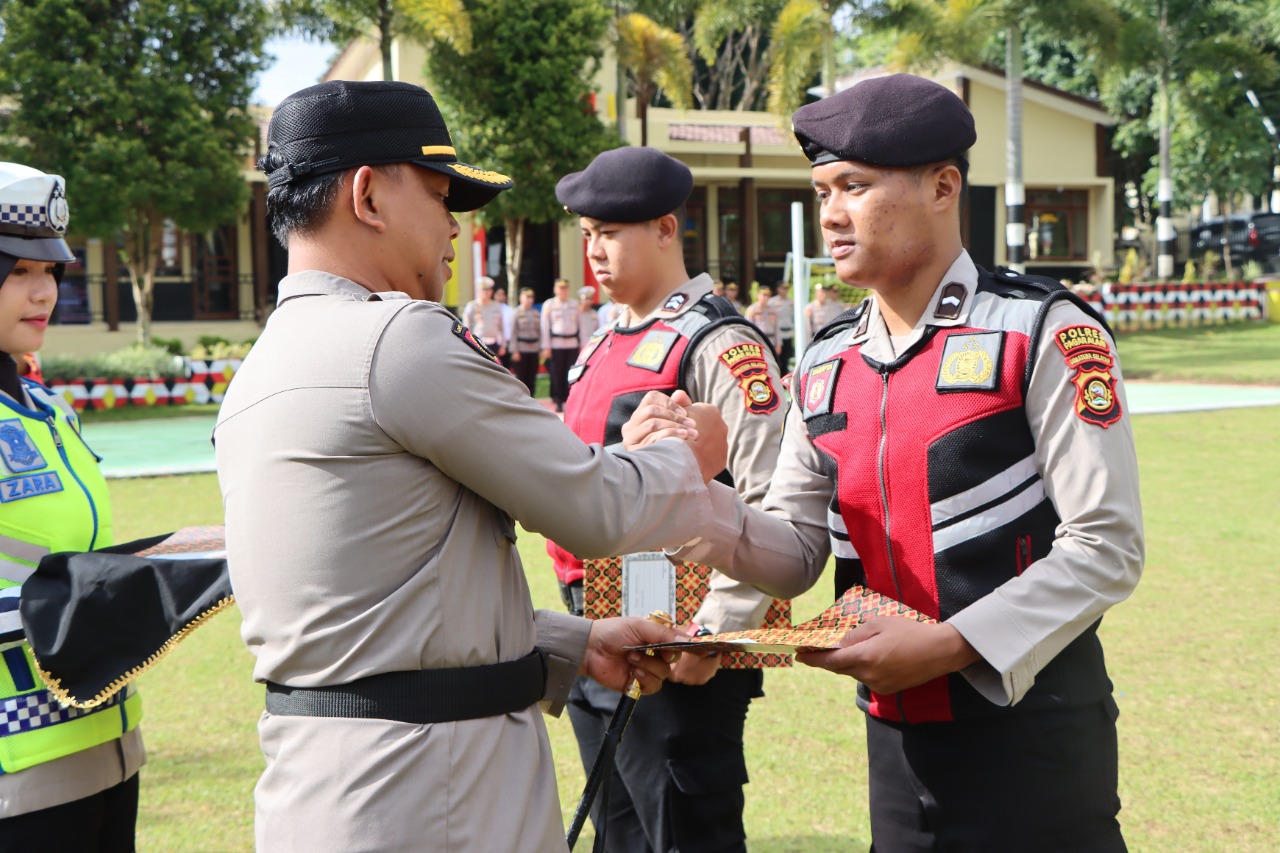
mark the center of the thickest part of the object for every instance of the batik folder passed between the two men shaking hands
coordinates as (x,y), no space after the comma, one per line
(824,632)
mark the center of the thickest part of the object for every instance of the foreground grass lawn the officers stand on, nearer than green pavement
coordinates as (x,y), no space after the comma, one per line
(1194,658)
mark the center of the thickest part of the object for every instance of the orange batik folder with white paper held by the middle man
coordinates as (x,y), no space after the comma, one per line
(604,594)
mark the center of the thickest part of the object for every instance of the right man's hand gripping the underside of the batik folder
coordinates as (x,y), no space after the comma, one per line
(892,654)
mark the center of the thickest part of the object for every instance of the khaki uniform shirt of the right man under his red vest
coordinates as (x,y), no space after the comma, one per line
(1091,476)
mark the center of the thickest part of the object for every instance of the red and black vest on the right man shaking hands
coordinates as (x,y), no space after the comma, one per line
(938,499)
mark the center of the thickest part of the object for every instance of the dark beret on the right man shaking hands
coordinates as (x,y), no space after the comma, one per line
(895,121)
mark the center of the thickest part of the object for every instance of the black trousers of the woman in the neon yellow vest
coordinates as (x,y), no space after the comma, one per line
(99,824)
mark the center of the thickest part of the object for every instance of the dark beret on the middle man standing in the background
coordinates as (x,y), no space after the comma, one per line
(627,185)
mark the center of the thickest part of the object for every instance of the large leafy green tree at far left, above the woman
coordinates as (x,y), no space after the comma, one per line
(143,107)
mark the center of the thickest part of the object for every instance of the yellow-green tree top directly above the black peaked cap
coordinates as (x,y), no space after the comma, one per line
(382,21)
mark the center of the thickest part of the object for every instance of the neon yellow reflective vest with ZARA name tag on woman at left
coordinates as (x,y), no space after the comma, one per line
(53,499)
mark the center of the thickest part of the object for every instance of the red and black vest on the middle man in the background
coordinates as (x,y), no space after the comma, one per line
(620,366)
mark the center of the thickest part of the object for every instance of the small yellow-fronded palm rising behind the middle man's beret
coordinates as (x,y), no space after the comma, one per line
(657,60)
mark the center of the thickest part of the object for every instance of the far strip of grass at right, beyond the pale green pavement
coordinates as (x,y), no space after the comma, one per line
(1241,353)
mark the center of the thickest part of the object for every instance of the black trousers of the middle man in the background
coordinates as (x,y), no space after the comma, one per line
(679,776)
